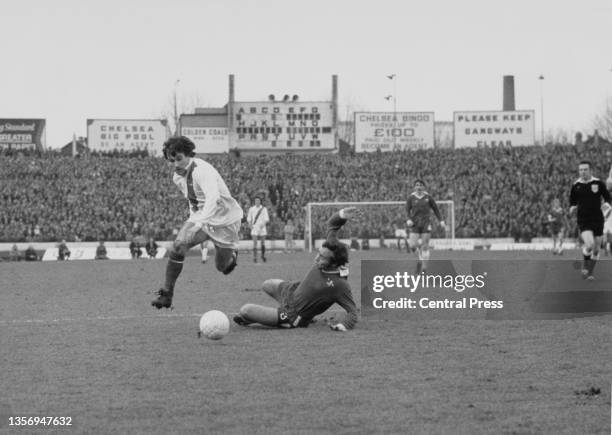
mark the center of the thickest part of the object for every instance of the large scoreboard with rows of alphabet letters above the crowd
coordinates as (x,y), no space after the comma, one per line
(290,125)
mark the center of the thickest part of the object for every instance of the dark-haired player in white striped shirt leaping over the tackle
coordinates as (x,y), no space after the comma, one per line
(213,215)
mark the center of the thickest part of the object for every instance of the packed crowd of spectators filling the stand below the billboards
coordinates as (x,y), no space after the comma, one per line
(497,192)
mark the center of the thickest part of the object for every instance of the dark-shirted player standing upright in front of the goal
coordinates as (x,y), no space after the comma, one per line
(419,206)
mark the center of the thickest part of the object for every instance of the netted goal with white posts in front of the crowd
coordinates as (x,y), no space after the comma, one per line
(380,220)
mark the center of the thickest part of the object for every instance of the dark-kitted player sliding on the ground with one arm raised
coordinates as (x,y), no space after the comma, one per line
(324,285)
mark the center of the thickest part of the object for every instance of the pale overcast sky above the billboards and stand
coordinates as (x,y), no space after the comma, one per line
(69,60)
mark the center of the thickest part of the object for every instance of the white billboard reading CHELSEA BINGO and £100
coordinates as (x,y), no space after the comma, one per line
(389,131)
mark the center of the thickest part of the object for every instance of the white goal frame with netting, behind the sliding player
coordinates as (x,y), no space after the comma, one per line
(382,215)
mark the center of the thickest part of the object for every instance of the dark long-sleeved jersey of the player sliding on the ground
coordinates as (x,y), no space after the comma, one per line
(320,289)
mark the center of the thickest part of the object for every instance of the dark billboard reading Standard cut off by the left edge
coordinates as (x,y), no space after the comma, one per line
(22,134)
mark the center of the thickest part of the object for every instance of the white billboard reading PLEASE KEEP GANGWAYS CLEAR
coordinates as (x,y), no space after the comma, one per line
(494,128)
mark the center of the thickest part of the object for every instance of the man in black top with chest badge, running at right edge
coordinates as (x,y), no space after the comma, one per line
(586,199)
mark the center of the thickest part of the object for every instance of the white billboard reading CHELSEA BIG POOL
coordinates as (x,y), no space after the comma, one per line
(127,135)
